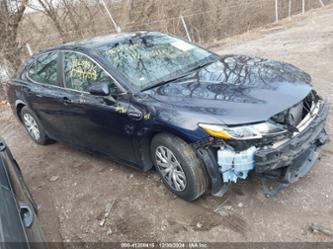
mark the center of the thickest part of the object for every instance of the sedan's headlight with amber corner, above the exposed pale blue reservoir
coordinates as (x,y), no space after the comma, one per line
(243,132)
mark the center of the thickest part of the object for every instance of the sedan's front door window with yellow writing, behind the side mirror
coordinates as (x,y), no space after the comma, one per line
(80,73)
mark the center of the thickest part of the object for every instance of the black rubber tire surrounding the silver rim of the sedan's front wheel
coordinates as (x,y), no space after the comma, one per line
(192,166)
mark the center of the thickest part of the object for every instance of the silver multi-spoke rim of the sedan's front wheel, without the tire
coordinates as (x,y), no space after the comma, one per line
(170,168)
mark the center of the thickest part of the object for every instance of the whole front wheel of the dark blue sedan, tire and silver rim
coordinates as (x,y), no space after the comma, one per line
(181,170)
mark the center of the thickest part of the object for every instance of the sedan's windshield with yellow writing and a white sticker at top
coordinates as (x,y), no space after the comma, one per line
(145,60)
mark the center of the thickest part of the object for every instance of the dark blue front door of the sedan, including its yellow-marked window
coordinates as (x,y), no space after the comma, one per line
(98,123)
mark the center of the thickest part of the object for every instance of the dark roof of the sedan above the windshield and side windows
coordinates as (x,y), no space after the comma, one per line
(91,43)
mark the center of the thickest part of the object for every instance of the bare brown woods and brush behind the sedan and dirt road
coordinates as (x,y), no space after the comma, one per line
(44,23)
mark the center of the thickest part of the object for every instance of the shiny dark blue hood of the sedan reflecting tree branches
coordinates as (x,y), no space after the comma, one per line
(237,89)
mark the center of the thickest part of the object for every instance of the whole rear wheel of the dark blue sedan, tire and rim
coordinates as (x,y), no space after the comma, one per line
(33,127)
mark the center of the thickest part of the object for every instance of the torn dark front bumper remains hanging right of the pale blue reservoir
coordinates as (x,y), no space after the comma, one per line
(292,160)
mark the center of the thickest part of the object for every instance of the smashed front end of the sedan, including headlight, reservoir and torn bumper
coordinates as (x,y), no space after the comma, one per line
(280,151)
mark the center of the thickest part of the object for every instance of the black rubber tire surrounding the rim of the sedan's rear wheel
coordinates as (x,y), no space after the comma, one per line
(42,139)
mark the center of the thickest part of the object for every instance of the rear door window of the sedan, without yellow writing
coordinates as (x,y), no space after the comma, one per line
(44,69)
